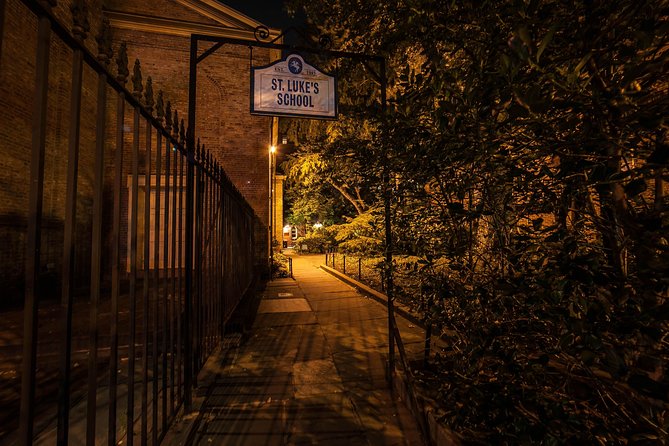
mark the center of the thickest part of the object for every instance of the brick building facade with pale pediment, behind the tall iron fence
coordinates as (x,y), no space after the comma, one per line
(157,34)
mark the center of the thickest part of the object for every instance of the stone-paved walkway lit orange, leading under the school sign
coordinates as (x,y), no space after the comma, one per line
(311,373)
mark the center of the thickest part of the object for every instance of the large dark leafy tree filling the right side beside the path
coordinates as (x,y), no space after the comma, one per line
(527,143)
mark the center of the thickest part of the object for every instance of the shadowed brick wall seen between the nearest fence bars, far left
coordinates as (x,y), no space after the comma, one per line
(16,97)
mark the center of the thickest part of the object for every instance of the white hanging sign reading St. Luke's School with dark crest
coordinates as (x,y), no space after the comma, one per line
(292,87)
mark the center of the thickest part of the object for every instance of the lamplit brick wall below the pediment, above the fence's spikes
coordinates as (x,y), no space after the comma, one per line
(224,125)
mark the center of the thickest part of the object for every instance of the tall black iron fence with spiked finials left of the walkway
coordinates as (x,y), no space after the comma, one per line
(113,358)
